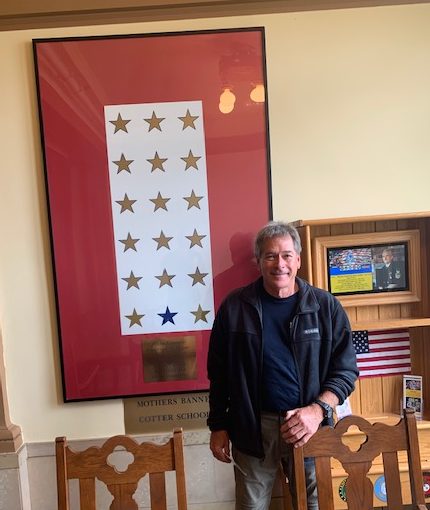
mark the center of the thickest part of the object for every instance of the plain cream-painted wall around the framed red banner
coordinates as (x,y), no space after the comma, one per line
(349,126)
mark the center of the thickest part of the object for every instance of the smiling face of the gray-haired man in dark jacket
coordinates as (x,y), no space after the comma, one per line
(279,263)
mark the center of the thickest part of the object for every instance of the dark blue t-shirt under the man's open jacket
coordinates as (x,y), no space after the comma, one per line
(280,381)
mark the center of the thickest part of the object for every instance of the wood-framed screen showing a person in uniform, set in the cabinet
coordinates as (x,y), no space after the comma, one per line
(372,268)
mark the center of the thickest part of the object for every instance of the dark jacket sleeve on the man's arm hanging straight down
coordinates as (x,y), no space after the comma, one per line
(217,367)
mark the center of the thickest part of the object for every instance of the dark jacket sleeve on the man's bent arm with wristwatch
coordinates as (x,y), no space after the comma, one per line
(343,370)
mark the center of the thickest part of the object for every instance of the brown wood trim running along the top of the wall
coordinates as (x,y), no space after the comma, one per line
(21,14)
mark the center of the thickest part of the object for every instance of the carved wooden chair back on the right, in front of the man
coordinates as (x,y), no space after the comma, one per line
(381,439)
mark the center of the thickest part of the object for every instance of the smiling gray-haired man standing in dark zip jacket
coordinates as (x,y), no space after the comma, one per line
(280,358)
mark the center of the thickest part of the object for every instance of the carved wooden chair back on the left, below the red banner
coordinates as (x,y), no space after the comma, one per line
(93,463)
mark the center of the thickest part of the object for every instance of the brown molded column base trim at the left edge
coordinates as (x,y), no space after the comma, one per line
(10,434)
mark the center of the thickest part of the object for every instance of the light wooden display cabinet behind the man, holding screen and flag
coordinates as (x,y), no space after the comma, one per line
(379,398)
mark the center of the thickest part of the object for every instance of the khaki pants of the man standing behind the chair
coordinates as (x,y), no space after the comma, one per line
(255,477)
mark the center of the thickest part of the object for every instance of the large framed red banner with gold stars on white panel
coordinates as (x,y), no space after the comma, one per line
(156,157)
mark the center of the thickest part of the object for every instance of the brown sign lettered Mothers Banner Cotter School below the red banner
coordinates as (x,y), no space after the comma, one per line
(162,413)
